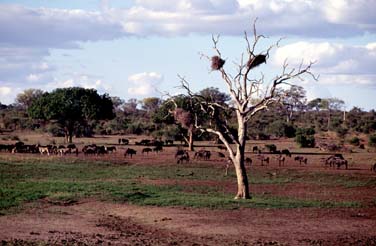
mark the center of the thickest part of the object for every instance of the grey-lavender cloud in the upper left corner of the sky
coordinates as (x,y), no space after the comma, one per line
(54,28)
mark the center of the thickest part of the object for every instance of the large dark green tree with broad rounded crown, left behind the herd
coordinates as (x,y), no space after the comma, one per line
(72,108)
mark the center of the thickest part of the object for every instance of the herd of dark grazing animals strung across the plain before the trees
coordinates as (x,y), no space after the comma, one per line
(181,156)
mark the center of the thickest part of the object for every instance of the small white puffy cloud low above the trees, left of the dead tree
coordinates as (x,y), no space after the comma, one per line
(144,84)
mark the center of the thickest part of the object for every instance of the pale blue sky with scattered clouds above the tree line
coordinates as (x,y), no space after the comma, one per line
(136,49)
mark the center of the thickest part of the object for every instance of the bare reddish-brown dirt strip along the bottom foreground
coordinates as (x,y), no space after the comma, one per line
(93,222)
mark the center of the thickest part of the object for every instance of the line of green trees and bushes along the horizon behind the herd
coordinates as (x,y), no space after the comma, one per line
(78,112)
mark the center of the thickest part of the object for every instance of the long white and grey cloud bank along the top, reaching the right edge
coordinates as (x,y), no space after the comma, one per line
(321,18)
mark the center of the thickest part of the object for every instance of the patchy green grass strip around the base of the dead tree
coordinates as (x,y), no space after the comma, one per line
(64,180)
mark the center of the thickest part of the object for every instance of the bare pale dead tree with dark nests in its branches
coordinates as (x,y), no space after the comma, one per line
(248,99)
